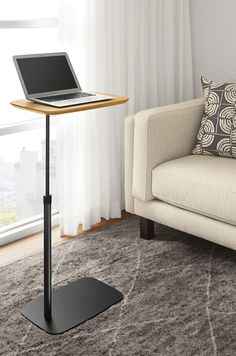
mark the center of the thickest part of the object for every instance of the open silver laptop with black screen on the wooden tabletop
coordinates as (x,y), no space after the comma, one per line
(49,79)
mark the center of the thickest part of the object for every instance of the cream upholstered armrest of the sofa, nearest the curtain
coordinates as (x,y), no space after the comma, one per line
(162,134)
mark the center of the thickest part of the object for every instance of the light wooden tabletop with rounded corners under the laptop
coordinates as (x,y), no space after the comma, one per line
(50,110)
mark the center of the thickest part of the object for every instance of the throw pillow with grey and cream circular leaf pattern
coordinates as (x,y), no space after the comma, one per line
(217,132)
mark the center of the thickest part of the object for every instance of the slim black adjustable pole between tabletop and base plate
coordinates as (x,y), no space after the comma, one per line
(47,201)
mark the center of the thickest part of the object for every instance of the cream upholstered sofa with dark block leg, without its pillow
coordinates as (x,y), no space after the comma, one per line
(165,183)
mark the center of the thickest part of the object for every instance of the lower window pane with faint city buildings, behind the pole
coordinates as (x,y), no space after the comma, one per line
(22,172)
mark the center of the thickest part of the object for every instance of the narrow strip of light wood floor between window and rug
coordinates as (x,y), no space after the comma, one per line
(30,244)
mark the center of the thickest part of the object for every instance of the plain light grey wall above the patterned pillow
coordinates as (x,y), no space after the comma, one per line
(213,25)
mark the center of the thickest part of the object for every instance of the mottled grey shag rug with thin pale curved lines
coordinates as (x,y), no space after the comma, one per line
(179,296)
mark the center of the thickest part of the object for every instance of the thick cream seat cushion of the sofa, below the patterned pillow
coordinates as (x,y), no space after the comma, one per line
(202,184)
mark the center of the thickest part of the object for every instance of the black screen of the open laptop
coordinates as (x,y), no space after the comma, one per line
(46,74)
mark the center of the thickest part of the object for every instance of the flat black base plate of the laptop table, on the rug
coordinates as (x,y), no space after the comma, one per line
(72,305)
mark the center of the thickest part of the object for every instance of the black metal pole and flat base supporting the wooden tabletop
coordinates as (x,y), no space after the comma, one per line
(66,307)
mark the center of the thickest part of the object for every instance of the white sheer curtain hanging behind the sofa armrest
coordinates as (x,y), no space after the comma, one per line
(138,48)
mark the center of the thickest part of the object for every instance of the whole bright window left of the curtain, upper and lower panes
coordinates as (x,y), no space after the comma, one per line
(25,27)
